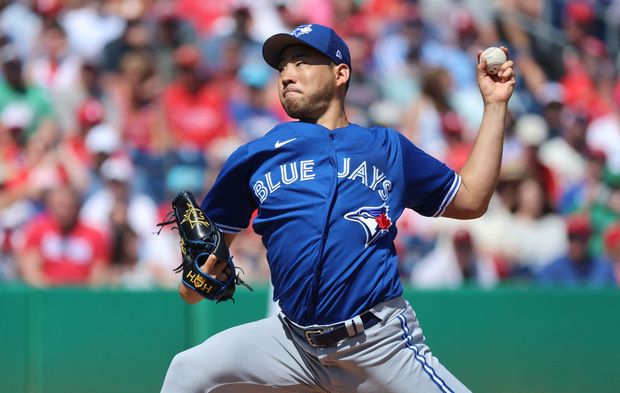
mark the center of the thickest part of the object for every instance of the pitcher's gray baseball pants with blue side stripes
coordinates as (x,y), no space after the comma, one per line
(267,356)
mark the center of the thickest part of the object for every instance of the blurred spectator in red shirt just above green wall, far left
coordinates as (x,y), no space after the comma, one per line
(61,249)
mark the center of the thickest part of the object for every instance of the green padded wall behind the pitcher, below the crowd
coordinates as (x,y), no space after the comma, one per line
(506,340)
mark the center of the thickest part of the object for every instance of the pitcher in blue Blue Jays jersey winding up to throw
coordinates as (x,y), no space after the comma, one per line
(328,195)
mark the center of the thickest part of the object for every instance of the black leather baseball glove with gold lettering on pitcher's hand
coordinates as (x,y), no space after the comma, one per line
(199,239)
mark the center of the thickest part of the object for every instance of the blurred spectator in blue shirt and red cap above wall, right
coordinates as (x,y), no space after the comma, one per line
(578,266)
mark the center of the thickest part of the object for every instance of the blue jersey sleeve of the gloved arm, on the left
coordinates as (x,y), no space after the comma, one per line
(229,203)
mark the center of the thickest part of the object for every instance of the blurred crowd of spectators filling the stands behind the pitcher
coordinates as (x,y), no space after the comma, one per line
(109,108)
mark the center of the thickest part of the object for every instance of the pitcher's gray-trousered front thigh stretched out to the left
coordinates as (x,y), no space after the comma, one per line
(254,357)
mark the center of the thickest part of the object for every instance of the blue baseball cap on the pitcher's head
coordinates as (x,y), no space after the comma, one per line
(319,37)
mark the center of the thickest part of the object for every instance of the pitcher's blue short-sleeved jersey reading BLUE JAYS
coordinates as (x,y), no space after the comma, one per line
(327,203)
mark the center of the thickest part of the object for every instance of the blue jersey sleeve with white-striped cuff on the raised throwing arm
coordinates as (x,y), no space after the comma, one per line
(430,185)
